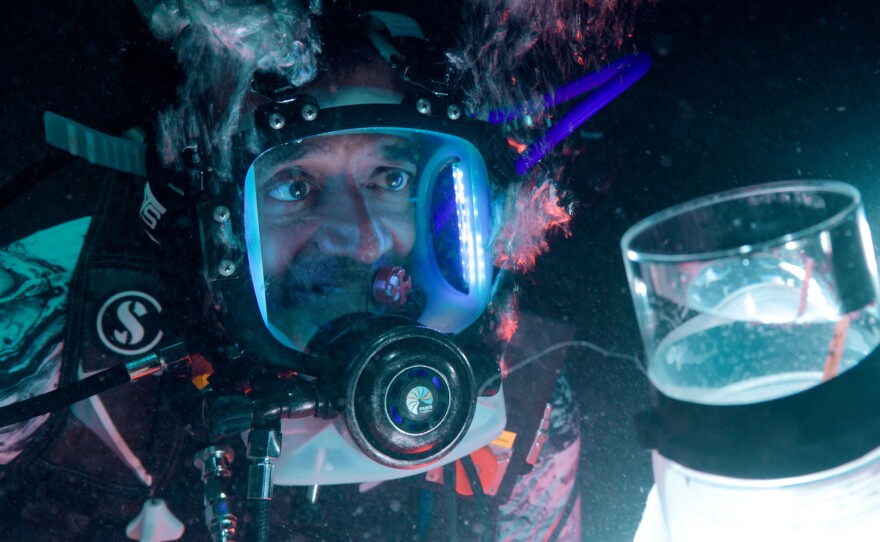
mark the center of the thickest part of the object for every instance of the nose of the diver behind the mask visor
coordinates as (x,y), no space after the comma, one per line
(351,229)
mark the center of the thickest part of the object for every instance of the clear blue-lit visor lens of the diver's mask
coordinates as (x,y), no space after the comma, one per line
(376,221)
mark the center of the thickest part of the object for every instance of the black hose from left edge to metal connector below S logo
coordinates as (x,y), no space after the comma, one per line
(63,397)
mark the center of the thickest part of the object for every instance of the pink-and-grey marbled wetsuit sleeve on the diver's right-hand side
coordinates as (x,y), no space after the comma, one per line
(545,501)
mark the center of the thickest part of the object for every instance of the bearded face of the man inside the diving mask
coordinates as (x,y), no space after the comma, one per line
(333,210)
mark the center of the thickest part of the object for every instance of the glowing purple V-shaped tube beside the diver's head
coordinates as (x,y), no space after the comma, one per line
(611,82)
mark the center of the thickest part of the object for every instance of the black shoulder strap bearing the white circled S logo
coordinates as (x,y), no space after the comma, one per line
(129,297)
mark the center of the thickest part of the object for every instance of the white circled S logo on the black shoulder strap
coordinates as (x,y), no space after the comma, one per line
(128,324)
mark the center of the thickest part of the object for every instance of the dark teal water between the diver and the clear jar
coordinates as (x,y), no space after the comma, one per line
(746,92)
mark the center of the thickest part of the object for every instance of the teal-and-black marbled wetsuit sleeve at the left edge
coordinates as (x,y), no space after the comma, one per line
(35,274)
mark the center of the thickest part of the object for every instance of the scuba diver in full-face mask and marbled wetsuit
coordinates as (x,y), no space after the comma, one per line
(311,295)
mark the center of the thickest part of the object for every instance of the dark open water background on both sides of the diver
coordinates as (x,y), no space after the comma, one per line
(740,92)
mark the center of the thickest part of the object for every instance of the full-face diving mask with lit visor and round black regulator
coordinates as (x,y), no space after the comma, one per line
(367,230)
